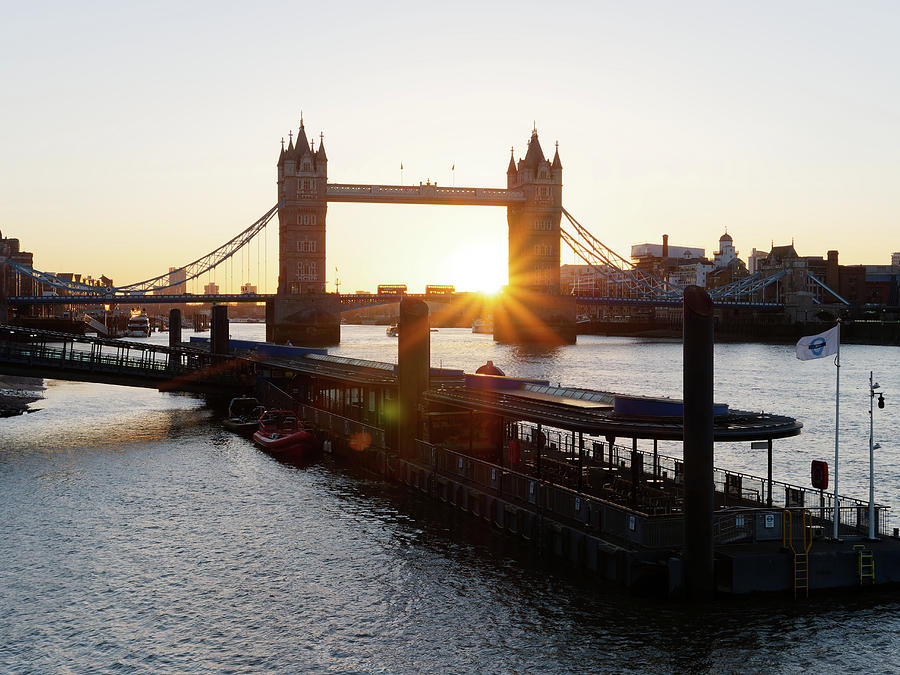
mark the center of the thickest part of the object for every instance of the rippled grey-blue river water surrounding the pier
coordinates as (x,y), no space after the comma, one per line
(138,536)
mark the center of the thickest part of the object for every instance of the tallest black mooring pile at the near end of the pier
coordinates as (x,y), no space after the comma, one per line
(699,491)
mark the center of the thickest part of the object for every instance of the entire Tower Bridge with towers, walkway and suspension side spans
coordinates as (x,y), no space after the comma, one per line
(532,308)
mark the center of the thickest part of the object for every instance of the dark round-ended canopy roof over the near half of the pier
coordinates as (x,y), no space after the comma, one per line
(602,413)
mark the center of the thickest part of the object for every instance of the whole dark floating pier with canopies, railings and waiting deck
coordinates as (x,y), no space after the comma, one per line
(570,470)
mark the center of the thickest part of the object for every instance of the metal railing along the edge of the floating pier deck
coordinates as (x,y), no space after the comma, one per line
(732,523)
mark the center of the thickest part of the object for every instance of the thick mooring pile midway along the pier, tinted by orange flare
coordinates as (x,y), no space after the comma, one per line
(413,369)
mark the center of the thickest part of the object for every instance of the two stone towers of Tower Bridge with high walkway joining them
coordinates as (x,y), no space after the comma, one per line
(532,309)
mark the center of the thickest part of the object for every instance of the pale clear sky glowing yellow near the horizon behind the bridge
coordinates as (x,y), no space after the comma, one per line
(136,137)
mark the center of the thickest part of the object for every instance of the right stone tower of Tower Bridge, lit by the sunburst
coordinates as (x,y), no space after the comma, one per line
(532,309)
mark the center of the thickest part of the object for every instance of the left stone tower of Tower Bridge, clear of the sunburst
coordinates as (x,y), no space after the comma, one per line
(302,312)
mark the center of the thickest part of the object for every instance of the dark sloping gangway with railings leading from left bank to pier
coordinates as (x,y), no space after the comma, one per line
(26,352)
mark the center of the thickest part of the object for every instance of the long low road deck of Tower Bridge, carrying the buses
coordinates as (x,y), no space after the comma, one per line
(348,301)
